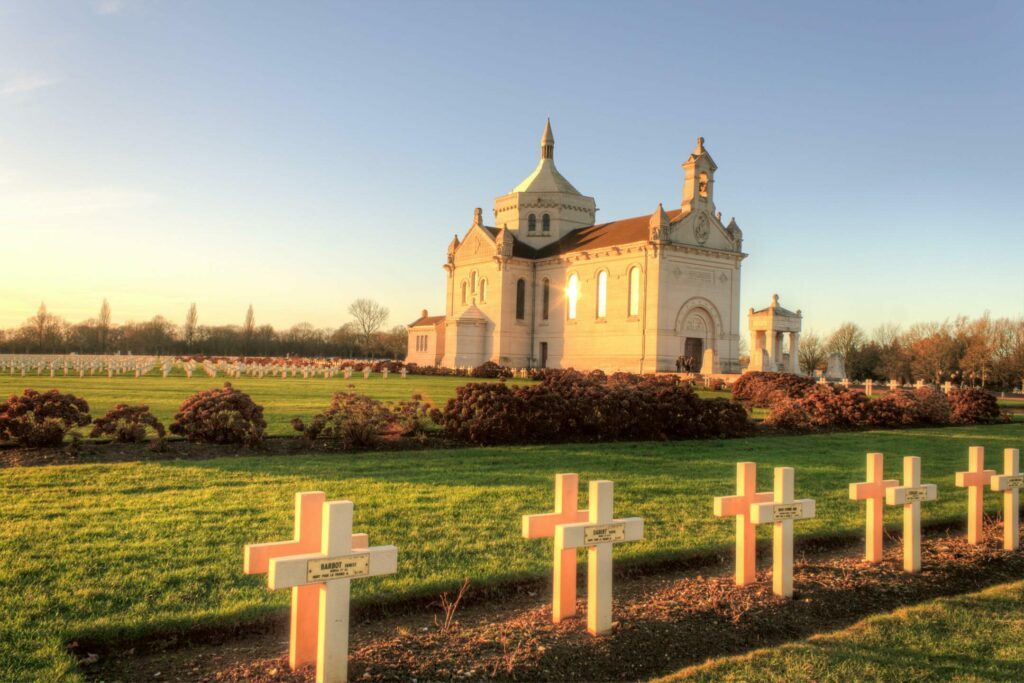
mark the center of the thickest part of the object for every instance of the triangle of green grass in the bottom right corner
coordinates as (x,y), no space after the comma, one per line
(973,637)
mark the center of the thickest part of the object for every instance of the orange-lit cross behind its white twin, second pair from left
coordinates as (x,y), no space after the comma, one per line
(543,527)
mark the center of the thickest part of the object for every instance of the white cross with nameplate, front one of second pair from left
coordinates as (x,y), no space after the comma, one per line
(598,535)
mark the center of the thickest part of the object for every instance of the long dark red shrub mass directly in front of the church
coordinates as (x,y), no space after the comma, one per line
(571,406)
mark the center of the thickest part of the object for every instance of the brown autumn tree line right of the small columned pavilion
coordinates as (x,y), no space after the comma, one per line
(982,352)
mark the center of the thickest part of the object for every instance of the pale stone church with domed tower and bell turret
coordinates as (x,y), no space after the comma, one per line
(545,287)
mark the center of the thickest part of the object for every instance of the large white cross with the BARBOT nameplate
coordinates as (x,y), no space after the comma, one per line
(330,572)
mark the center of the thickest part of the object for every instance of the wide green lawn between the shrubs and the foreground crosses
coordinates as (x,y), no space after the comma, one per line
(110,552)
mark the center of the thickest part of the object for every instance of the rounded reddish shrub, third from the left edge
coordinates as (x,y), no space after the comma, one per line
(221,416)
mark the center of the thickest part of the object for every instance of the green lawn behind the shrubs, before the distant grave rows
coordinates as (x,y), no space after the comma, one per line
(282,400)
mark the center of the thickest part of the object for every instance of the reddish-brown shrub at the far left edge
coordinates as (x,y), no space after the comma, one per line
(38,420)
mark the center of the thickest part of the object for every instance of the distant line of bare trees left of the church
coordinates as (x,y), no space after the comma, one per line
(365,336)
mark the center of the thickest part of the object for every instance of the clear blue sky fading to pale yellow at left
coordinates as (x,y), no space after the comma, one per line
(298,156)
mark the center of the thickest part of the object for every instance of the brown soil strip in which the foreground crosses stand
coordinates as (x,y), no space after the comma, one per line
(665,622)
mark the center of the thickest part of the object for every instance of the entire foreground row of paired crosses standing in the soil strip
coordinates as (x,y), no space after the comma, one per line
(320,564)
